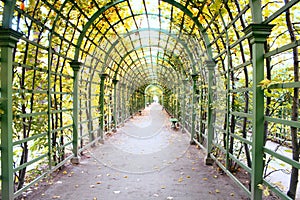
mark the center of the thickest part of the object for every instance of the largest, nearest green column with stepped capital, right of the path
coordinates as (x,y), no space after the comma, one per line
(257,34)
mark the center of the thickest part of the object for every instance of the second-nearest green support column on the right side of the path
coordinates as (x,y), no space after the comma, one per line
(210,133)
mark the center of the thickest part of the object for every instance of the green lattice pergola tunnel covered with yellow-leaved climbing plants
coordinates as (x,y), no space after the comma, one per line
(74,70)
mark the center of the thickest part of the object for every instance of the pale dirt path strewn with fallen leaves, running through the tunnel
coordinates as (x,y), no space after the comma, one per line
(144,159)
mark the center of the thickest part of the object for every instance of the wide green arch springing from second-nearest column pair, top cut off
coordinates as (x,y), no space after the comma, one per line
(113,3)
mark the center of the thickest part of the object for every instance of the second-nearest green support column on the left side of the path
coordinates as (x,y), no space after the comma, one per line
(76,67)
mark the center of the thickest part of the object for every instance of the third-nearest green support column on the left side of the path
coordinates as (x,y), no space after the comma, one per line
(101,105)
